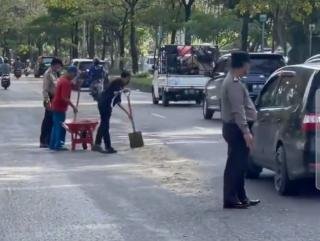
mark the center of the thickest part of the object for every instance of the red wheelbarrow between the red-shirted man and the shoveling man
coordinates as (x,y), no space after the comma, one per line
(81,132)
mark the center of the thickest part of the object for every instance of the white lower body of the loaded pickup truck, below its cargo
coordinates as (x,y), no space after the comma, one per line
(168,88)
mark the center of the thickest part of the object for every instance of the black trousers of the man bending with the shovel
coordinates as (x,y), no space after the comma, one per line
(104,128)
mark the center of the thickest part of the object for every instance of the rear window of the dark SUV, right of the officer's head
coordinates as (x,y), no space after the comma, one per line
(265,64)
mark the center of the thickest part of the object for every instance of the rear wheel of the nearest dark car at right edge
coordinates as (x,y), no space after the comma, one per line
(282,183)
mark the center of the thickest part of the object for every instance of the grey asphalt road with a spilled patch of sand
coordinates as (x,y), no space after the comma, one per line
(169,190)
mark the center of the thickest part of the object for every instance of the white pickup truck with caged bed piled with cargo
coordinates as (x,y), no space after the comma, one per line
(181,73)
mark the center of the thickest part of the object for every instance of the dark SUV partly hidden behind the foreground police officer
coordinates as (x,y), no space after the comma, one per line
(262,66)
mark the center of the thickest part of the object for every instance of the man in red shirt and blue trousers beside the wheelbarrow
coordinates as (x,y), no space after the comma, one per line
(60,104)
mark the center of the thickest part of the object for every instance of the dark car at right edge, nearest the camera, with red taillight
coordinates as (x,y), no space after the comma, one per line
(285,131)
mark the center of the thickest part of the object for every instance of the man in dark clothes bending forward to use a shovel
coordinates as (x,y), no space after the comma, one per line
(107,100)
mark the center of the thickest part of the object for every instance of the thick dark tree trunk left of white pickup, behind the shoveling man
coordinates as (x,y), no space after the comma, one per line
(133,42)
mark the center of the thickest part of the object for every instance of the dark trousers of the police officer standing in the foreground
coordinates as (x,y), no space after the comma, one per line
(237,164)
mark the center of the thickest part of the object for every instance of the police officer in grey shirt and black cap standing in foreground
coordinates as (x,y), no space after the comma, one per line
(238,114)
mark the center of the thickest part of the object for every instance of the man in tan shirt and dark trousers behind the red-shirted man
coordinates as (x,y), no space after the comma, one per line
(48,91)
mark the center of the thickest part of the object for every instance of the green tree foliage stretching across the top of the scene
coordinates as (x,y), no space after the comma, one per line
(48,25)
